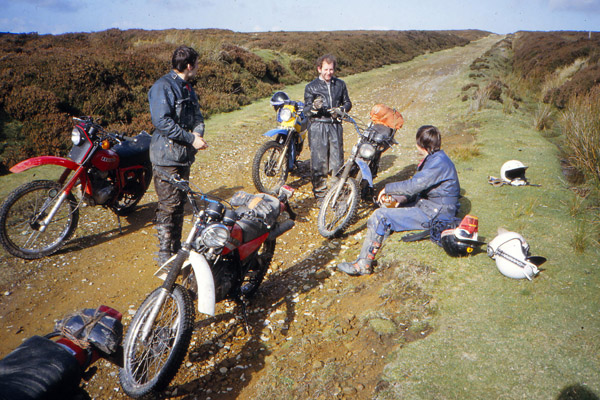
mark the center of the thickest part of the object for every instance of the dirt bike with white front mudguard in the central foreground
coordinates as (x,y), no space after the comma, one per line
(225,256)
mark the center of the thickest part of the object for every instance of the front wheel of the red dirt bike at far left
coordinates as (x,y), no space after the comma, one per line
(22,215)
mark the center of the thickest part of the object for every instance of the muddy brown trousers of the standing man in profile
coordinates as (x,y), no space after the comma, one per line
(169,211)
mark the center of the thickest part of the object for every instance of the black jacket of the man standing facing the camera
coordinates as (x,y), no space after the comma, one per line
(334,95)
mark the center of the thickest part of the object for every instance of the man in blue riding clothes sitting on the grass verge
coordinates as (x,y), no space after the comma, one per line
(433,192)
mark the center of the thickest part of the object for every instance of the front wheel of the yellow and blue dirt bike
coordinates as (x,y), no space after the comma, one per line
(266,176)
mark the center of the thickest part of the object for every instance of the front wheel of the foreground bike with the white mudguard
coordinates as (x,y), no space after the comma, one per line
(149,365)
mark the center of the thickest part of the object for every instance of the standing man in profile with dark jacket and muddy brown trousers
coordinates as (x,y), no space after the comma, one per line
(175,141)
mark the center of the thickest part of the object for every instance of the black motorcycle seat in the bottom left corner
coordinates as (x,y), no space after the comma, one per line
(38,369)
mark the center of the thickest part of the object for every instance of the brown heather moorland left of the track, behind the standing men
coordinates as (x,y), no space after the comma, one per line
(46,79)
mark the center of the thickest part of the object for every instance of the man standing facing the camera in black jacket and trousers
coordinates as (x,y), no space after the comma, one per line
(325,135)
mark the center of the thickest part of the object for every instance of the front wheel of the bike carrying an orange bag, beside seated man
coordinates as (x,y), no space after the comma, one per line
(336,214)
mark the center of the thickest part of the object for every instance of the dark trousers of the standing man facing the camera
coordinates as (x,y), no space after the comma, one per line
(326,143)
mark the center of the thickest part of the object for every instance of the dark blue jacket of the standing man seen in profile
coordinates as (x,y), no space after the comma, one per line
(175,114)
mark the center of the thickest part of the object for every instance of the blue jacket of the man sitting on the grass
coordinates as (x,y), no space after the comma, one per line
(434,187)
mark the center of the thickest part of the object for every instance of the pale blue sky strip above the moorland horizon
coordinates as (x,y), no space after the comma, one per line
(499,16)
